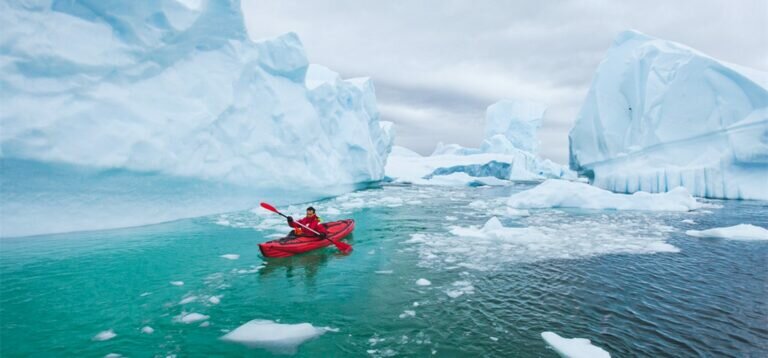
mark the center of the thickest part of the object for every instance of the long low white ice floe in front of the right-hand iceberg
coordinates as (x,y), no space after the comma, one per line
(565,194)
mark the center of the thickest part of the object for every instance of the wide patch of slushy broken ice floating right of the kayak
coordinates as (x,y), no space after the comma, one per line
(547,235)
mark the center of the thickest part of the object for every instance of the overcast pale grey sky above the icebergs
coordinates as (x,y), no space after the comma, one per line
(438,64)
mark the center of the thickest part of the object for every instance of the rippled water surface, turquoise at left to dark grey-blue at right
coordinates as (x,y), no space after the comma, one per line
(607,276)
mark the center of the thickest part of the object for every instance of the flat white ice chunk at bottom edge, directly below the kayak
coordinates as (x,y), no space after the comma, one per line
(275,337)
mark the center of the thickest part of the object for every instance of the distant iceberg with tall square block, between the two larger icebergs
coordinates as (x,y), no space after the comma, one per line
(508,152)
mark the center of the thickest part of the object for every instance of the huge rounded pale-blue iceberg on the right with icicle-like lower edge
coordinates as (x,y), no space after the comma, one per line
(660,115)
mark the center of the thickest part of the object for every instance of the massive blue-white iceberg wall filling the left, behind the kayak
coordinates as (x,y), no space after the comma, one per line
(126,113)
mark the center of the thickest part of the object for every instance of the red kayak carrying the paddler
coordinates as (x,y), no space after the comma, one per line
(292,245)
